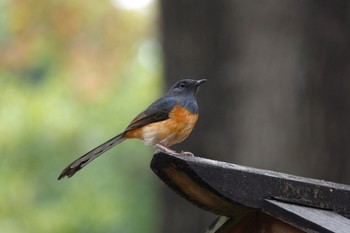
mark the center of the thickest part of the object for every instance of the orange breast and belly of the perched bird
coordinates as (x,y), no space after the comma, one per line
(168,132)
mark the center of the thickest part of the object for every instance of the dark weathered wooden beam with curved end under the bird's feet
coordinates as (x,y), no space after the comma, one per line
(229,189)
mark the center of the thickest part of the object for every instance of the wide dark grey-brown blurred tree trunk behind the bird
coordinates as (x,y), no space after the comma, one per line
(277,92)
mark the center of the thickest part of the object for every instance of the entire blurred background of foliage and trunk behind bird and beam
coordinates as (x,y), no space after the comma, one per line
(74,73)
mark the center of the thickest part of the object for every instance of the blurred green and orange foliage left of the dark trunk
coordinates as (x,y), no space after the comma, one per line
(72,75)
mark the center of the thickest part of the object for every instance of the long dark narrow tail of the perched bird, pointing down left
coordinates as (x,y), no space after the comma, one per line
(81,162)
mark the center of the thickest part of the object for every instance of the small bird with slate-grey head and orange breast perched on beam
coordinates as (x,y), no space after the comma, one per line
(167,121)
